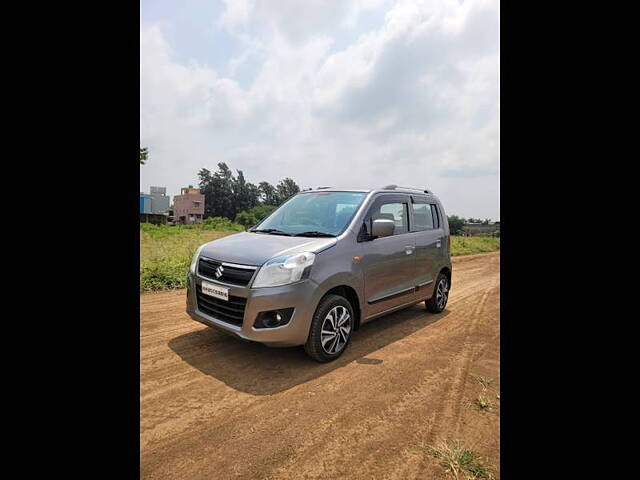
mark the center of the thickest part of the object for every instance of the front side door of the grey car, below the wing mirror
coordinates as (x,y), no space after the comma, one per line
(388,263)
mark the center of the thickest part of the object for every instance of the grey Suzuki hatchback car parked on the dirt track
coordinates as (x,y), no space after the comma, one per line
(321,265)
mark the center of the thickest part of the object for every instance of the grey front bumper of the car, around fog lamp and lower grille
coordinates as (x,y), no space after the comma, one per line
(301,296)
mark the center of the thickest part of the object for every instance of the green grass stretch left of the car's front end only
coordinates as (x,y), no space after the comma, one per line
(166,252)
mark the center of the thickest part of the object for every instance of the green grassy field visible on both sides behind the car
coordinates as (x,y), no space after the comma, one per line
(166,252)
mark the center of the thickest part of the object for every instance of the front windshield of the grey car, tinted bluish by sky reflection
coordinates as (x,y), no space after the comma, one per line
(313,214)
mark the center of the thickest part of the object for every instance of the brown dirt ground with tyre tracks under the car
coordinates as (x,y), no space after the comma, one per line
(213,407)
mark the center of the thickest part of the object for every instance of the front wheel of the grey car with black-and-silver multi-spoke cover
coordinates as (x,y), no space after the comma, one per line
(330,330)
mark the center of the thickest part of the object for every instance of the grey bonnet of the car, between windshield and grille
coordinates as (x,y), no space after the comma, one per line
(247,248)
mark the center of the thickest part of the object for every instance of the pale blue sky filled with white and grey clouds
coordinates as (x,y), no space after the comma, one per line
(341,93)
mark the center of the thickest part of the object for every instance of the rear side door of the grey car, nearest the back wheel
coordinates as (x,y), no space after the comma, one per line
(429,240)
